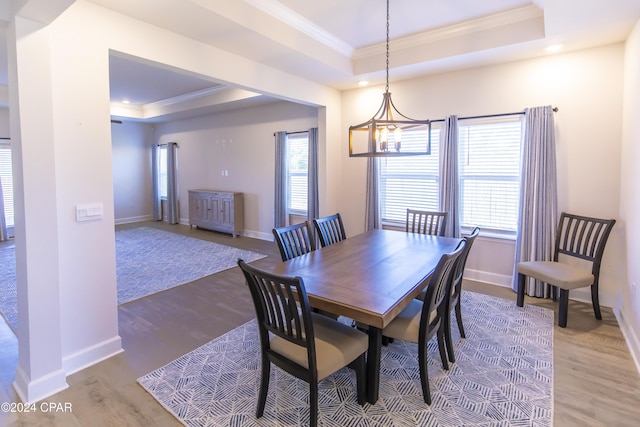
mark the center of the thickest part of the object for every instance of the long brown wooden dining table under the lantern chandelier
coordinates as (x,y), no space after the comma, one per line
(370,278)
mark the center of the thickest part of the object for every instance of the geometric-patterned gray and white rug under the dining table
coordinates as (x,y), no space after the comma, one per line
(503,376)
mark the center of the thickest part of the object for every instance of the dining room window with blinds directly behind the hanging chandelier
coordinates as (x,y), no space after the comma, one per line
(409,182)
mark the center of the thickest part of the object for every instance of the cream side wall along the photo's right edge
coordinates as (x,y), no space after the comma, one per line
(628,303)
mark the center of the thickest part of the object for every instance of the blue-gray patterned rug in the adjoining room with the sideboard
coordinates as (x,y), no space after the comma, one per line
(148,260)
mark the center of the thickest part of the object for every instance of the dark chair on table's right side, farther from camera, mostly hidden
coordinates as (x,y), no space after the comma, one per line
(453,302)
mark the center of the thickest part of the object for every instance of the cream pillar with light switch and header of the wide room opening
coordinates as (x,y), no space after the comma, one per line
(59,122)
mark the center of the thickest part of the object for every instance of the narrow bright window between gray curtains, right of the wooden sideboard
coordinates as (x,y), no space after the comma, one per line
(297,172)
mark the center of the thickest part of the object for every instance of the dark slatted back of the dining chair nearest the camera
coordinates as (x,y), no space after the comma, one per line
(282,306)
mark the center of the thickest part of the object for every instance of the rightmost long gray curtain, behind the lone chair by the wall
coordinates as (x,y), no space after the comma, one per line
(538,209)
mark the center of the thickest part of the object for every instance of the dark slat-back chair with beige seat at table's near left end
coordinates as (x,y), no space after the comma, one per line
(305,344)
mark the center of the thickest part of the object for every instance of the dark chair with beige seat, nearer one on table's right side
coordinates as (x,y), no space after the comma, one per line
(421,320)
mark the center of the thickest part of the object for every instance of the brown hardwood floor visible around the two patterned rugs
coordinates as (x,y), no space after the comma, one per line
(596,382)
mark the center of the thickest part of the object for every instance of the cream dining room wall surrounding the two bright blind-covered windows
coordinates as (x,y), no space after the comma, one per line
(586,86)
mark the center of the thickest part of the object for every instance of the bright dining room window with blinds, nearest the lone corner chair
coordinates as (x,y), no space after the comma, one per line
(489,170)
